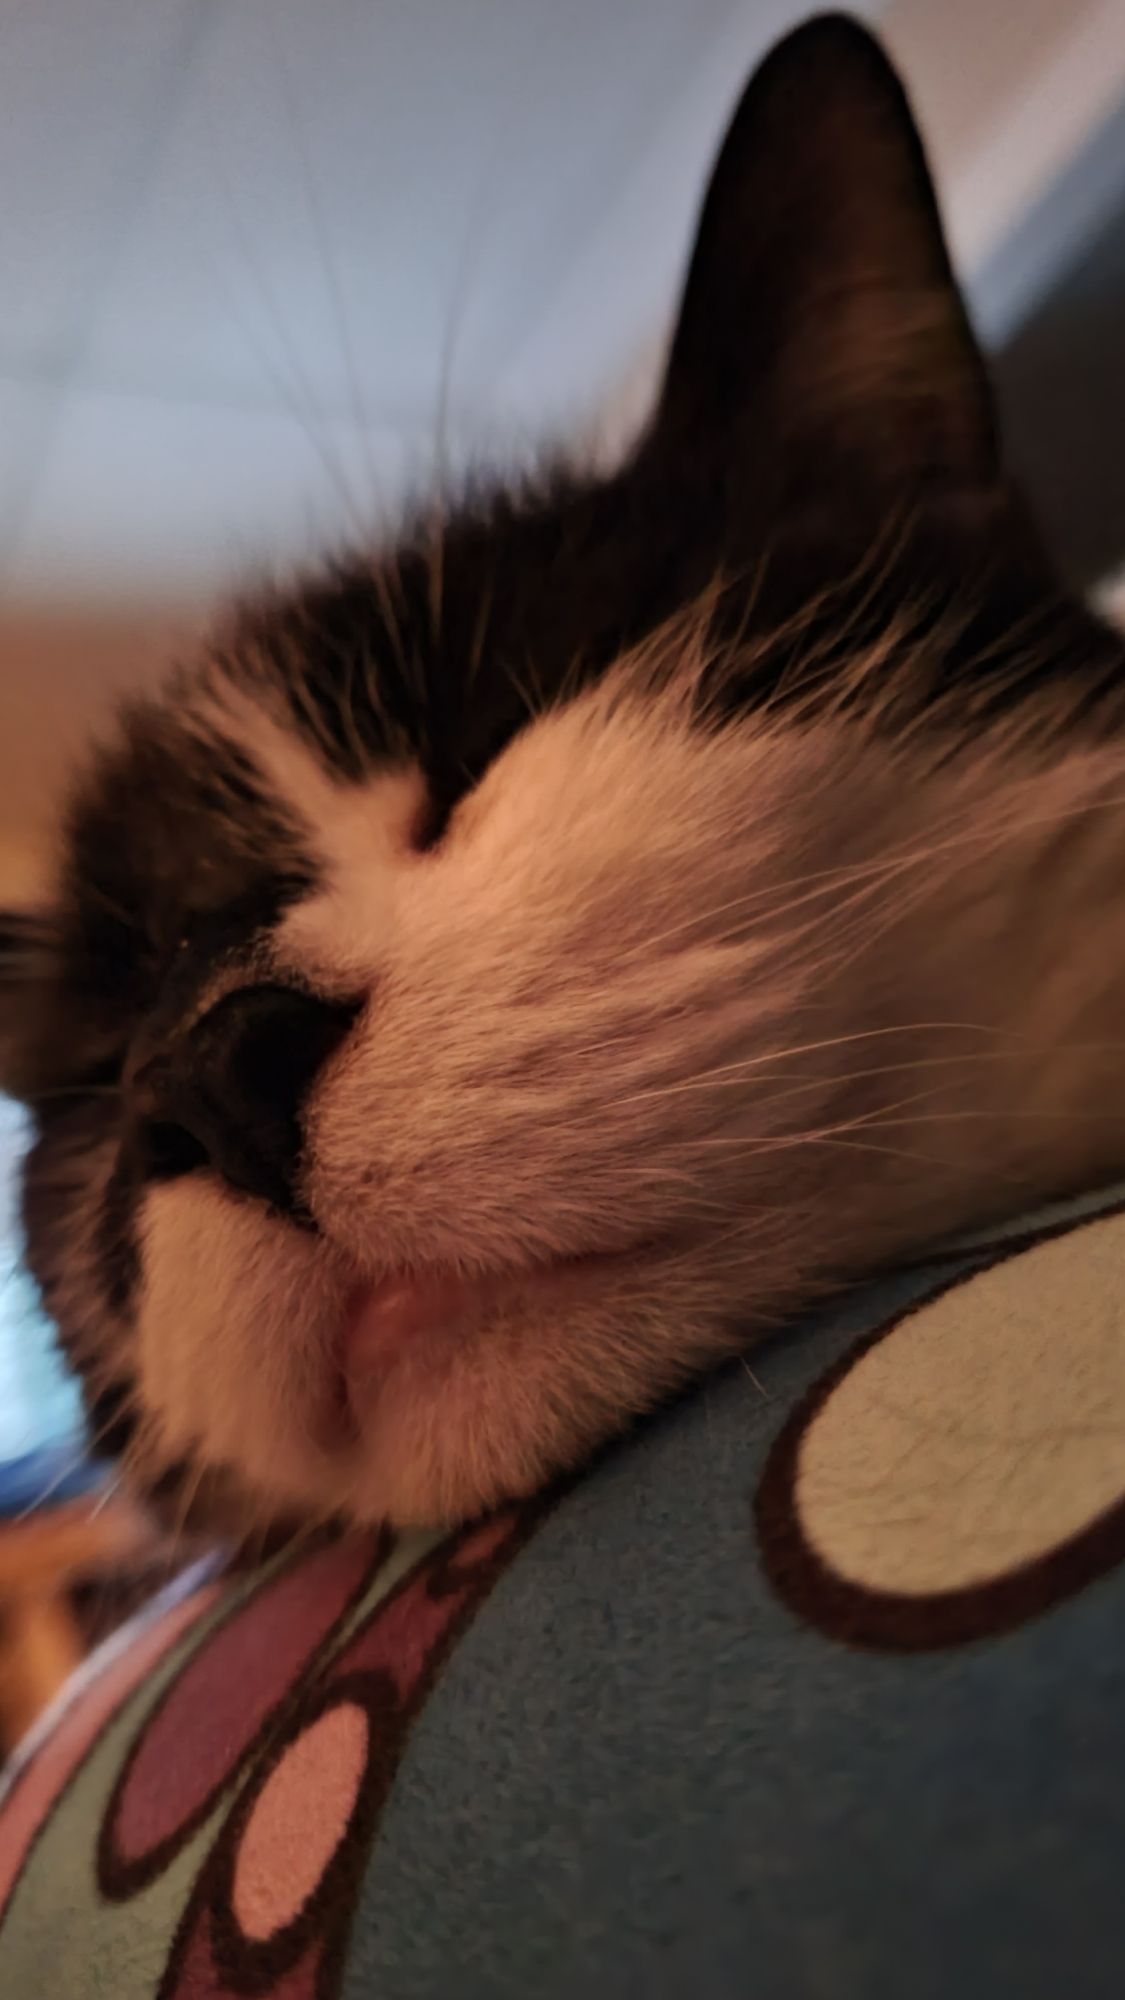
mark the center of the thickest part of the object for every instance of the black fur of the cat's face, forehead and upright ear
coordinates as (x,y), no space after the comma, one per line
(822,467)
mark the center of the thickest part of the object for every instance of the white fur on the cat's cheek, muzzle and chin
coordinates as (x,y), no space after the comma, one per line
(756,1009)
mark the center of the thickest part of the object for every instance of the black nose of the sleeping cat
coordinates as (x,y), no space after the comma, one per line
(229,1093)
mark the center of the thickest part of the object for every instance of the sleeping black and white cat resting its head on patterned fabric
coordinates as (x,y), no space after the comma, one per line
(513,969)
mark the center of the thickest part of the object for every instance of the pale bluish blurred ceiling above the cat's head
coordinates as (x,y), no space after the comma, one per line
(267,263)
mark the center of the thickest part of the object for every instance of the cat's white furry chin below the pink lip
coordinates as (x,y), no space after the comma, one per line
(439,1395)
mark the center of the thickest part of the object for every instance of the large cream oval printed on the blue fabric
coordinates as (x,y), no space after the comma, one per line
(984,1431)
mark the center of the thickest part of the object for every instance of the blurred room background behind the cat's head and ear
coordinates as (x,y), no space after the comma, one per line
(267,267)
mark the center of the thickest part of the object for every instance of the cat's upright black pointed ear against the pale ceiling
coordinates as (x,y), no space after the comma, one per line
(822,323)
